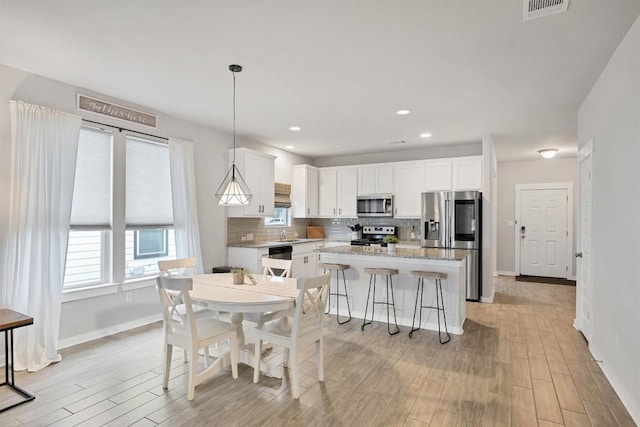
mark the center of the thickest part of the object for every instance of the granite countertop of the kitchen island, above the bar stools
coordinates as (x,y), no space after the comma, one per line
(417,253)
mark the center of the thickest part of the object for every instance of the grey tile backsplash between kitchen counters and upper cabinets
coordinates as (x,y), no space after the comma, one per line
(335,228)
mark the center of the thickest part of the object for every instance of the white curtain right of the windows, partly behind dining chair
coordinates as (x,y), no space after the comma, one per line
(185,207)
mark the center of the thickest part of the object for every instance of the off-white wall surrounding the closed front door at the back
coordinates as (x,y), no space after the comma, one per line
(527,172)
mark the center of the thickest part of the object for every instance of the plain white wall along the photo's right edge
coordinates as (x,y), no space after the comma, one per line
(610,115)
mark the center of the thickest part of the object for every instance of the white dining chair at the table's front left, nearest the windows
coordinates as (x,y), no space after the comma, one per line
(191,333)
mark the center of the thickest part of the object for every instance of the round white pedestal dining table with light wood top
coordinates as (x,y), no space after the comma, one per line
(269,293)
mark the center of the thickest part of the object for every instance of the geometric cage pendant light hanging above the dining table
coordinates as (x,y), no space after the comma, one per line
(234,191)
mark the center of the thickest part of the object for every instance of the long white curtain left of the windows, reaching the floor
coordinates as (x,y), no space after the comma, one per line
(44,146)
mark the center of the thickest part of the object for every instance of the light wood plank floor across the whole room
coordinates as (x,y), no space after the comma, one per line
(519,363)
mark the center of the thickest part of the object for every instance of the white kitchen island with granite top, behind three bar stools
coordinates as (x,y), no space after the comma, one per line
(450,261)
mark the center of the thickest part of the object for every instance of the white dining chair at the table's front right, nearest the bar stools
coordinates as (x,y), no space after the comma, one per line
(299,331)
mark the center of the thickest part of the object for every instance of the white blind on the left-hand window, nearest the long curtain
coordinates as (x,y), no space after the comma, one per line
(91,205)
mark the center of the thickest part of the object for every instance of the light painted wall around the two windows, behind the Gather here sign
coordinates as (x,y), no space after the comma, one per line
(89,318)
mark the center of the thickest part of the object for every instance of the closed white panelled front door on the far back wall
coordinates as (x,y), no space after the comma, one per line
(543,233)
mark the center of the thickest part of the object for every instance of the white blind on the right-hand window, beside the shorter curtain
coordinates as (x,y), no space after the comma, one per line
(148,184)
